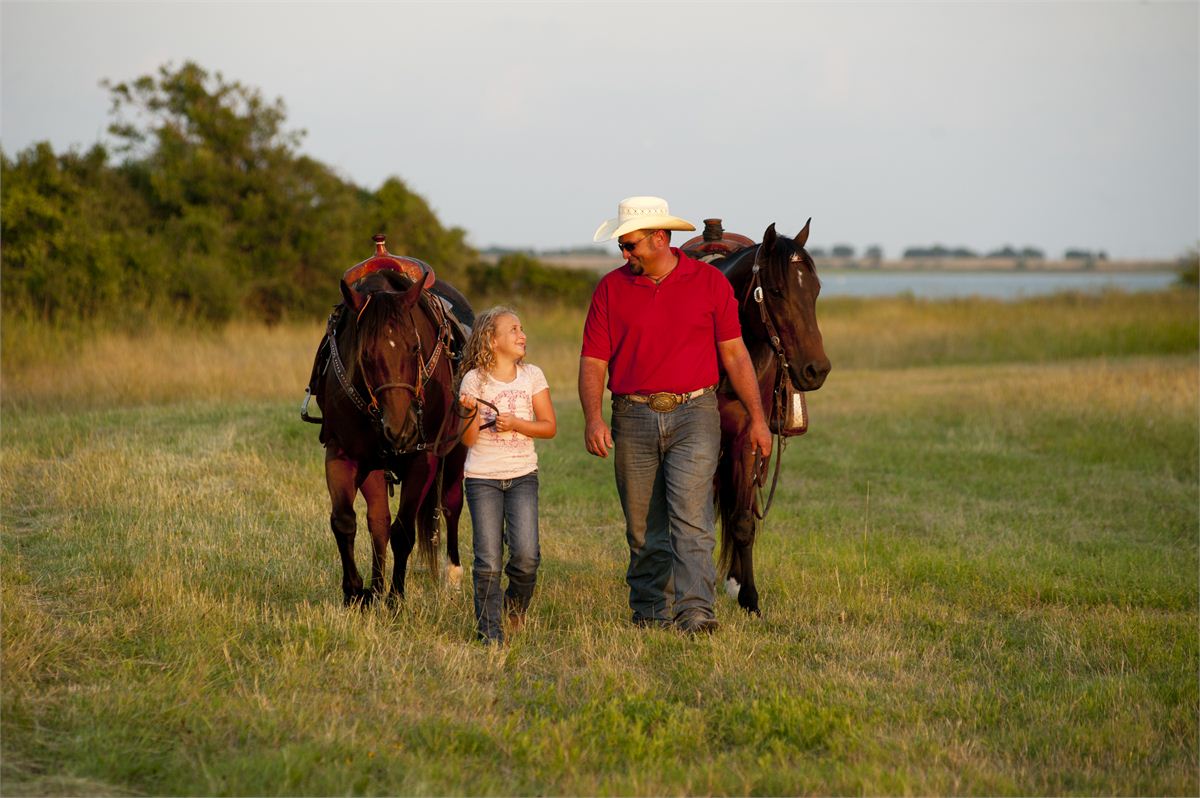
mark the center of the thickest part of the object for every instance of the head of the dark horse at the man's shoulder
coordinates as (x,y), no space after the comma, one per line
(790,289)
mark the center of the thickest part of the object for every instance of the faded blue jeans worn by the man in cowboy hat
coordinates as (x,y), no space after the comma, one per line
(665,464)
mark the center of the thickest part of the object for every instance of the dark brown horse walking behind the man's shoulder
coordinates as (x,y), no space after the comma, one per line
(777,287)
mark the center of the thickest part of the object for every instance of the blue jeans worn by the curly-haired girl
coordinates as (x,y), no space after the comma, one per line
(503,512)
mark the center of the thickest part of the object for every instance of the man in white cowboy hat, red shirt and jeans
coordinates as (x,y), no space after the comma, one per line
(658,327)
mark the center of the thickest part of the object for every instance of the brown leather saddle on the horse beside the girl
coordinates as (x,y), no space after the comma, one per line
(460,317)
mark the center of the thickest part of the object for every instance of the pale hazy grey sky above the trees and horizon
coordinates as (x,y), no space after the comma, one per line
(892,124)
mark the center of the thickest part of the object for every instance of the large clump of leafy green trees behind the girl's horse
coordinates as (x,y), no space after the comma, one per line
(209,213)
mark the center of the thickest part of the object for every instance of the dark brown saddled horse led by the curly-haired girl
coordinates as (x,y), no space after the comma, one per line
(388,401)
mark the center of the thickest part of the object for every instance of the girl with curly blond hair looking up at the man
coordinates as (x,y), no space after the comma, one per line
(502,466)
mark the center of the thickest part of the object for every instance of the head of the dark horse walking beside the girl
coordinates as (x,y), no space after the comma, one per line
(389,350)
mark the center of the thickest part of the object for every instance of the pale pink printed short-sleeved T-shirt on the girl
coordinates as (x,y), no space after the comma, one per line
(503,455)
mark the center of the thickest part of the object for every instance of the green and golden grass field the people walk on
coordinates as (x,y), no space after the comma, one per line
(980,578)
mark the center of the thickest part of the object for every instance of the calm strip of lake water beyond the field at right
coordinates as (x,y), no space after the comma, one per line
(991,285)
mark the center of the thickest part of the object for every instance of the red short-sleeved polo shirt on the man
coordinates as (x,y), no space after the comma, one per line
(662,338)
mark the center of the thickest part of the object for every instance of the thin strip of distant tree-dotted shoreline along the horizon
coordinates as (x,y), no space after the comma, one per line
(603,263)
